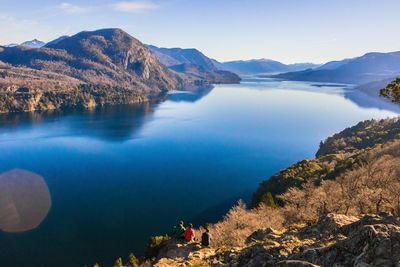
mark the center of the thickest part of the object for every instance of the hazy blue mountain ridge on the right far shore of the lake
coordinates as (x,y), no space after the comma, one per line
(365,69)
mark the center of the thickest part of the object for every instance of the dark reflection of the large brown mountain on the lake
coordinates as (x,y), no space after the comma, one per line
(112,123)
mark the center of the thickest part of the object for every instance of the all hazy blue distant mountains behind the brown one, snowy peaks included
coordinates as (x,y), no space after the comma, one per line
(193,66)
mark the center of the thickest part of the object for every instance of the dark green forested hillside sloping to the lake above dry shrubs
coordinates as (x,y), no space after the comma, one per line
(340,153)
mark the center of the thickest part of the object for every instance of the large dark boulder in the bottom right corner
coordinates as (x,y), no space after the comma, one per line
(374,240)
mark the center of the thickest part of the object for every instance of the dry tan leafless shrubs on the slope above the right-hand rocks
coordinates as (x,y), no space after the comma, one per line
(371,188)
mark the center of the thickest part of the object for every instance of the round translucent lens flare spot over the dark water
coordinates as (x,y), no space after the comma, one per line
(24,201)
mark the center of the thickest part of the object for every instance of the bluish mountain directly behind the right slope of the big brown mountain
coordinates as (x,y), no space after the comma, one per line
(193,65)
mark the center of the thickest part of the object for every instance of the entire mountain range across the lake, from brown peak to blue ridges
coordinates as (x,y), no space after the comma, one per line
(109,66)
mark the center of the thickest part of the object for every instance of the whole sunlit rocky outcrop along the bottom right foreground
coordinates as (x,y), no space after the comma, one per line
(336,240)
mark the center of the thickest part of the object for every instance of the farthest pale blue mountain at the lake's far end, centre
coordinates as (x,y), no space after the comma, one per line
(261,66)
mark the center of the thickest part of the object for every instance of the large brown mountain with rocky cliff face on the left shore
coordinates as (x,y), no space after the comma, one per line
(94,68)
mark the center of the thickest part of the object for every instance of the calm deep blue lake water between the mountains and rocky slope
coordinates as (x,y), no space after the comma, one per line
(118,175)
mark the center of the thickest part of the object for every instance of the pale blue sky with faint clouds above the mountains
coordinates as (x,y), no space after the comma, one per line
(285,30)
